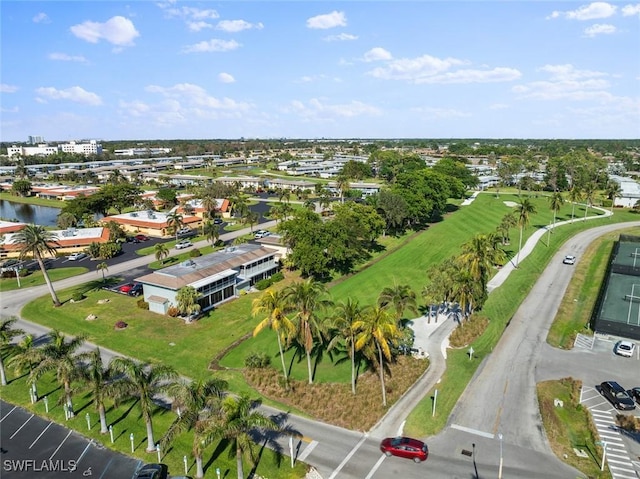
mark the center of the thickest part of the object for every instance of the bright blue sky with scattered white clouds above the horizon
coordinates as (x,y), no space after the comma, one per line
(115,70)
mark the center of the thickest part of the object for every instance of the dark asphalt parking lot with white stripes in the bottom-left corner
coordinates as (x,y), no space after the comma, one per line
(34,447)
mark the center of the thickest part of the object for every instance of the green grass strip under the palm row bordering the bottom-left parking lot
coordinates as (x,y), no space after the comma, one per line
(126,420)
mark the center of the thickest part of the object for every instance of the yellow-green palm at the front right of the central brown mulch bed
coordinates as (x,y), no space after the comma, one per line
(377,330)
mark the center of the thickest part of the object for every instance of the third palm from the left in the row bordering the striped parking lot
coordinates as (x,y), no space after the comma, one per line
(61,356)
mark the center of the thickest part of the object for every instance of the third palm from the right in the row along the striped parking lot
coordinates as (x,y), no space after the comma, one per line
(142,381)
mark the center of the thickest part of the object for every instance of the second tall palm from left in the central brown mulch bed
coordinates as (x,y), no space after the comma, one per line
(307,298)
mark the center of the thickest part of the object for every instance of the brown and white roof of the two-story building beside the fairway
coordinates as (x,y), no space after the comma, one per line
(221,264)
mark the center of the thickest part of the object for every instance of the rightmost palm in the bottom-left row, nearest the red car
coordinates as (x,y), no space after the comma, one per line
(239,421)
